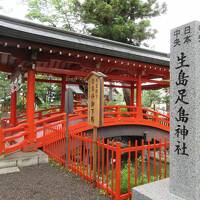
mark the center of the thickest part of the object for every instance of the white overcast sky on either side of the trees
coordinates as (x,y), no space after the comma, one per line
(179,12)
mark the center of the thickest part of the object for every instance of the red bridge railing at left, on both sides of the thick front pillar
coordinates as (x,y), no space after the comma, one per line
(46,130)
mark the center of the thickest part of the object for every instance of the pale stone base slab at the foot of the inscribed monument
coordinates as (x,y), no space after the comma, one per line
(158,190)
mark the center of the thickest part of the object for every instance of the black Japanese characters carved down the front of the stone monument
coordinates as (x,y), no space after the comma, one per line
(182,37)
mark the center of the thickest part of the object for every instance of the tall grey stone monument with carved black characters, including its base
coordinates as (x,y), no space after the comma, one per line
(184,181)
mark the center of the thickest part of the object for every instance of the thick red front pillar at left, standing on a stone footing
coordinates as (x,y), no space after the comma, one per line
(30,110)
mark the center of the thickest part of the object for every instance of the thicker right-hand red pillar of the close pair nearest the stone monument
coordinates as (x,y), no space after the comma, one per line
(139,96)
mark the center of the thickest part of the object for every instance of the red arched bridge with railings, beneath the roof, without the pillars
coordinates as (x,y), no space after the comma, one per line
(52,123)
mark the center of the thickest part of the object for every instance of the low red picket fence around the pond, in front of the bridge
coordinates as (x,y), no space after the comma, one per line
(118,168)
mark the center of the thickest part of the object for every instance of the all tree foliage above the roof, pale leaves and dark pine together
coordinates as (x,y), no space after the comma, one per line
(124,21)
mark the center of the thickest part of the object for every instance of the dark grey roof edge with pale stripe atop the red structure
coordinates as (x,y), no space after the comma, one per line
(29,31)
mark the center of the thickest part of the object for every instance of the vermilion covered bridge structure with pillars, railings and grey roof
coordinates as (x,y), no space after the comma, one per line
(33,49)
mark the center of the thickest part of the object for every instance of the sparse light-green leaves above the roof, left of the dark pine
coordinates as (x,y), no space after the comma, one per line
(56,13)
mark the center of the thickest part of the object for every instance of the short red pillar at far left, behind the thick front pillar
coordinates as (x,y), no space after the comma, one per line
(13,108)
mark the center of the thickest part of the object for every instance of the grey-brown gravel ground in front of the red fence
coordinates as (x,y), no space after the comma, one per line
(45,182)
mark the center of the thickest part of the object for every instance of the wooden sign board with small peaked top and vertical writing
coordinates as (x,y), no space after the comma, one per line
(96,98)
